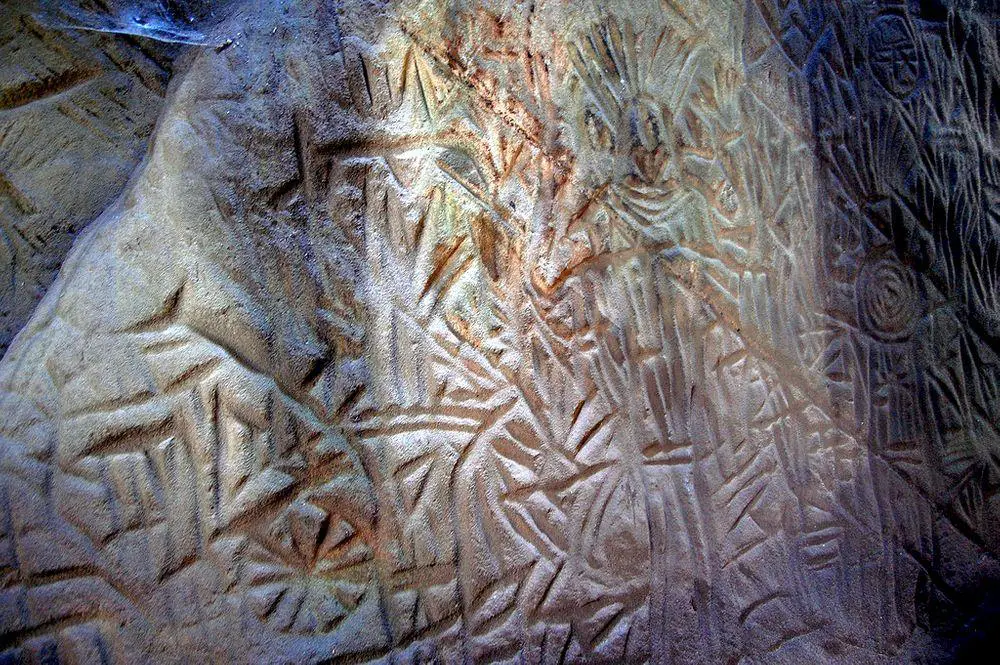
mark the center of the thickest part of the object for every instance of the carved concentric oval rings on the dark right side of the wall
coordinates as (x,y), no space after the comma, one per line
(889,304)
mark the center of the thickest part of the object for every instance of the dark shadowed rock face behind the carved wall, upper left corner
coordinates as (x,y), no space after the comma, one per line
(76,113)
